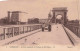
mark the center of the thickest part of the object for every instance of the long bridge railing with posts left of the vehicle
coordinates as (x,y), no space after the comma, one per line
(7,32)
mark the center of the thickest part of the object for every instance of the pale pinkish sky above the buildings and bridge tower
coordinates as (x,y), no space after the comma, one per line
(38,8)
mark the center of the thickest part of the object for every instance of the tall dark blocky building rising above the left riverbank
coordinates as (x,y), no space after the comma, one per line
(13,17)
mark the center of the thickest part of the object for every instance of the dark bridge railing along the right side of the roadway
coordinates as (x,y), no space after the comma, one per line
(74,28)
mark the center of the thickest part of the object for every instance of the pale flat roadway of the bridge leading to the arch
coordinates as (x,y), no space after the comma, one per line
(56,36)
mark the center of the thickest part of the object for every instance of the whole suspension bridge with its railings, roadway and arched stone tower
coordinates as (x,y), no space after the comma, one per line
(62,33)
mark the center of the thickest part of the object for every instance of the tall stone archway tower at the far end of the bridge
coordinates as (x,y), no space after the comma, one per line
(60,11)
